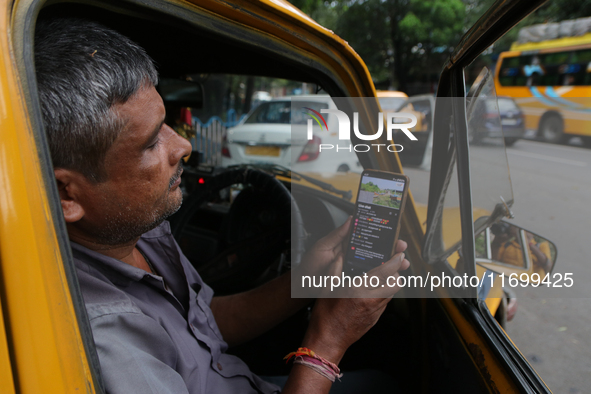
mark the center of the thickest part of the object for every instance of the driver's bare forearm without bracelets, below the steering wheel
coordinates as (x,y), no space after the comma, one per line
(244,316)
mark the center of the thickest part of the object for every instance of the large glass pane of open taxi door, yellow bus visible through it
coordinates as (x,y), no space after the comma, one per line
(549,172)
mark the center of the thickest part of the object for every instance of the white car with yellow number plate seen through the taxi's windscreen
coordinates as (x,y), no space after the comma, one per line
(267,135)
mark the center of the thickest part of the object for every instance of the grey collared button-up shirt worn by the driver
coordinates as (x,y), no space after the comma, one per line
(156,333)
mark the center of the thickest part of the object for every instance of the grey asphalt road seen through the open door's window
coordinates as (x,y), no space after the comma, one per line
(552,189)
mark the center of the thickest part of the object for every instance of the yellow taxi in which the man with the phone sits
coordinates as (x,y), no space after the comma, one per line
(452,342)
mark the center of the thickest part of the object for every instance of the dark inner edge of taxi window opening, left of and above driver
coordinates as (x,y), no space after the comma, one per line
(22,40)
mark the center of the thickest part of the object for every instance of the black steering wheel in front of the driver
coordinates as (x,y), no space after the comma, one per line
(263,224)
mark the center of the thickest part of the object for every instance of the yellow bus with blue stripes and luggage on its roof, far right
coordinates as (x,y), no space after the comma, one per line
(551,82)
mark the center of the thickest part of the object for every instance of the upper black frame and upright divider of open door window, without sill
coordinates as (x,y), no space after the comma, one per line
(501,17)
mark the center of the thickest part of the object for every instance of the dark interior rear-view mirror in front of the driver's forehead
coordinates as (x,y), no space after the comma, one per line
(181,93)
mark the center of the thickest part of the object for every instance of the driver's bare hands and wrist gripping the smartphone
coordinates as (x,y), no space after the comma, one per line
(336,323)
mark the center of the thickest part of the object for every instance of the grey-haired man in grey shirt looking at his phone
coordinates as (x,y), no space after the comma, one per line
(157,327)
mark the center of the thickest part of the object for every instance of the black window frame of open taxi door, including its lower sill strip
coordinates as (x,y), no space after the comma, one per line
(501,17)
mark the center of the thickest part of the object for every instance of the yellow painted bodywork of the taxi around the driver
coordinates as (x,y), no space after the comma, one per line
(45,342)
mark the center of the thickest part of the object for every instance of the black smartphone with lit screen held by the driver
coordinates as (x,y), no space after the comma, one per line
(376,222)
